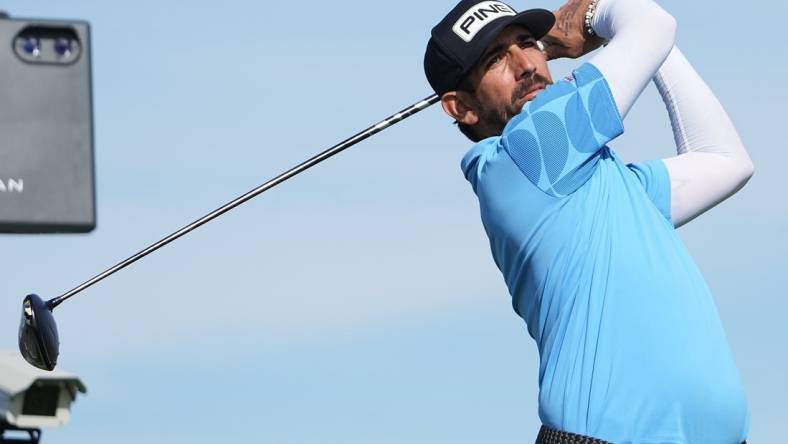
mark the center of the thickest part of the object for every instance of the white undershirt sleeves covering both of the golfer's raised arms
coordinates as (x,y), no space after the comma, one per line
(712,163)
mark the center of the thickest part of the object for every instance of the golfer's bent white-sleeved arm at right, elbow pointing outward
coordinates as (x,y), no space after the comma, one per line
(712,163)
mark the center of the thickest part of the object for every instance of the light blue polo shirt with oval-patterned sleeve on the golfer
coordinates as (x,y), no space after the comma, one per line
(630,342)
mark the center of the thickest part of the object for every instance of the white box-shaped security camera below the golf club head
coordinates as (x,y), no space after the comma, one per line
(31,398)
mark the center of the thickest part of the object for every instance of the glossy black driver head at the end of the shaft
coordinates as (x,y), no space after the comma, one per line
(38,341)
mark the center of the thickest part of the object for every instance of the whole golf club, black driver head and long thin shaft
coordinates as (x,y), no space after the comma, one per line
(38,339)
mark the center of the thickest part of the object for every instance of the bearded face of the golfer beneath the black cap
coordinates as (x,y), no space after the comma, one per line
(511,72)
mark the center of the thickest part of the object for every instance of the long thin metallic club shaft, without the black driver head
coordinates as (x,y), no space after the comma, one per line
(336,149)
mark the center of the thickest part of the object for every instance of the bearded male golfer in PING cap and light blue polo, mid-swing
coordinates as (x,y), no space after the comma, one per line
(631,346)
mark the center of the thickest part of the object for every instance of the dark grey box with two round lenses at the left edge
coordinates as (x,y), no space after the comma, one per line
(47,181)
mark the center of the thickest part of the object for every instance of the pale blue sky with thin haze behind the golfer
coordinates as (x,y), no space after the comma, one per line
(357,303)
